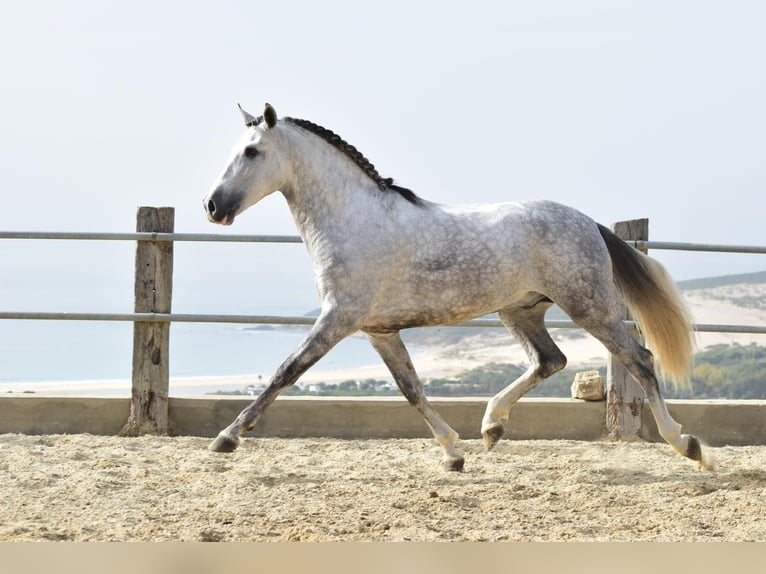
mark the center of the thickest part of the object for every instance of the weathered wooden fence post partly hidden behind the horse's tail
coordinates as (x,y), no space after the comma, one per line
(624,396)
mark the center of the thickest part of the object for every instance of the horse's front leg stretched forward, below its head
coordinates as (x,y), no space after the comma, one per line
(325,334)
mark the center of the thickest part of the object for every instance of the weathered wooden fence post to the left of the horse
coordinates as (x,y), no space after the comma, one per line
(151,340)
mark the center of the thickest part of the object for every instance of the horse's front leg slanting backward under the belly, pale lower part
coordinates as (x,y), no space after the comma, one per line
(394,354)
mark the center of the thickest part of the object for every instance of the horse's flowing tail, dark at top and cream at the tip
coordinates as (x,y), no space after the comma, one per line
(656,304)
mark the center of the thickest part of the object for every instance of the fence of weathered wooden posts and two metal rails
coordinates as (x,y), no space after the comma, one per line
(152,315)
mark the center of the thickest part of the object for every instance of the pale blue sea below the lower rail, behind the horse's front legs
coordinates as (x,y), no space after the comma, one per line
(41,355)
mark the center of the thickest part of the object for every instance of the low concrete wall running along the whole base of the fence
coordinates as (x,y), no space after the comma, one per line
(715,422)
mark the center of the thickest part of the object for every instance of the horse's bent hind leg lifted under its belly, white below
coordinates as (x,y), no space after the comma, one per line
(527,324)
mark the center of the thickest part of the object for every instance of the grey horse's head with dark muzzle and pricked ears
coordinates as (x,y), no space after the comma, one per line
(253,171)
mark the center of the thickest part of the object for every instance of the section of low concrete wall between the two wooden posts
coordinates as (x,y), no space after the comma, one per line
(386,418)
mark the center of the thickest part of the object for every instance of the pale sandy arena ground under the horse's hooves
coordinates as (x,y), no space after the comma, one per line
(94,488)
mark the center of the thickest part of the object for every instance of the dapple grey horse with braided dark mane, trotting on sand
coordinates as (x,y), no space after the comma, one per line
(385,259)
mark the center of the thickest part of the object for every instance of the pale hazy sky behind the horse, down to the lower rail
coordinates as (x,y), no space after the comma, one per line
(620,109)
